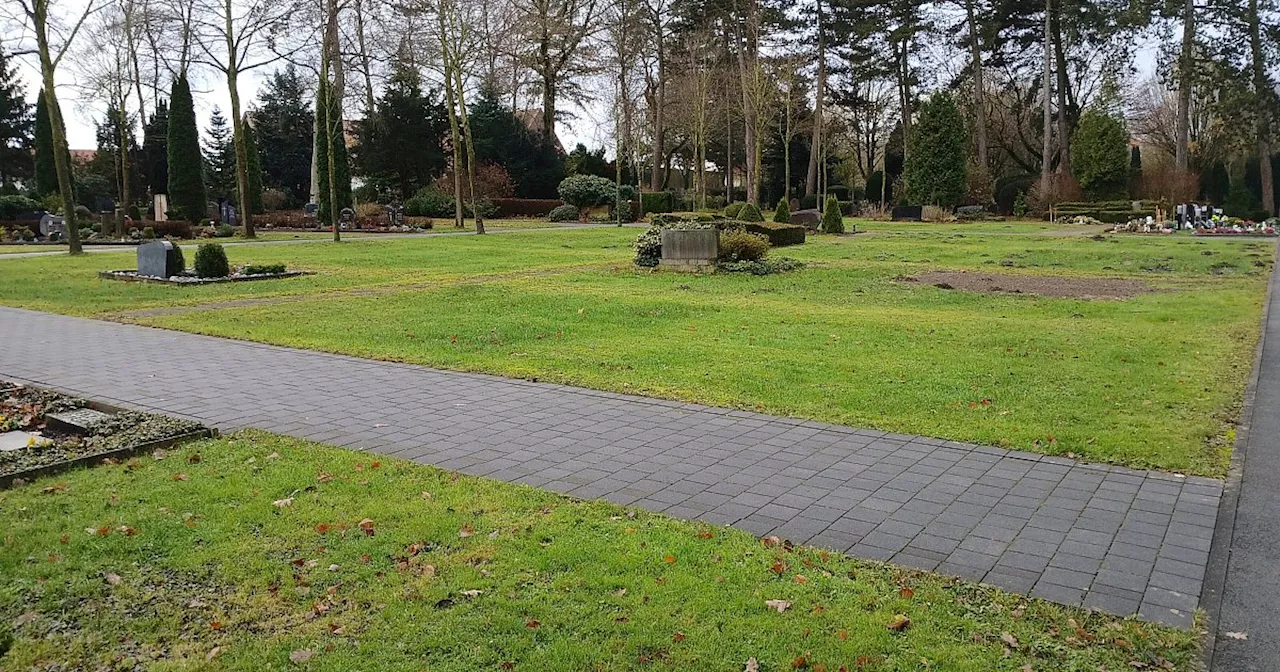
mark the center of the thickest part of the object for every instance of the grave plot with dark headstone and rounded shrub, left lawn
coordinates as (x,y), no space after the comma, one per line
(163,262)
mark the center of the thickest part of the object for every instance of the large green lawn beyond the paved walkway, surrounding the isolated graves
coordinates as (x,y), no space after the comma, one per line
(1153,381)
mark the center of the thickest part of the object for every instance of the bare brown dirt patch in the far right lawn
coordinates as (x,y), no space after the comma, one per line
(1049,286)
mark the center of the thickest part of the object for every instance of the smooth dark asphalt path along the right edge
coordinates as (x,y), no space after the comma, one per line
(1246,572)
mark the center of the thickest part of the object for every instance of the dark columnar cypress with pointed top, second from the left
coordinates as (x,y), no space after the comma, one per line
(186,168)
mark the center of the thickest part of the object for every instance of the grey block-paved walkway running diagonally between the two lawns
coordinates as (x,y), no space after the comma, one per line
(1112,538)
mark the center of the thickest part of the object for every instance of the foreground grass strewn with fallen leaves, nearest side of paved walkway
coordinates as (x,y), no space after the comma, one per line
(264,548)
